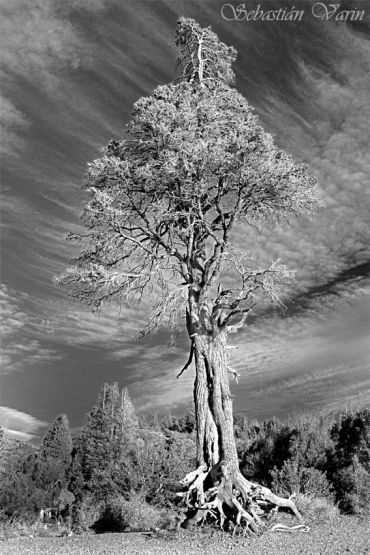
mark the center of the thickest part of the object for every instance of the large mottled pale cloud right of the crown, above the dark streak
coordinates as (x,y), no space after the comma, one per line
(322,119)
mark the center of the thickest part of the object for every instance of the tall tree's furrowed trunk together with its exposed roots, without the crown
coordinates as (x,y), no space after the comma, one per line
(217,489)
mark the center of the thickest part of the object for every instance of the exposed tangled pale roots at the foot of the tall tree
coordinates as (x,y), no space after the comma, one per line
(232,502)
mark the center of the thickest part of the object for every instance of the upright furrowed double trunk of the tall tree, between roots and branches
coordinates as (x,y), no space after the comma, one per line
(213,403)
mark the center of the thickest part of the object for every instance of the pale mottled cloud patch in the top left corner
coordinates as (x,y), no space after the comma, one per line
(36,46)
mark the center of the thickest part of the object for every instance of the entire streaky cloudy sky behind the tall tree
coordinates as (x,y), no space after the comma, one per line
(71,72)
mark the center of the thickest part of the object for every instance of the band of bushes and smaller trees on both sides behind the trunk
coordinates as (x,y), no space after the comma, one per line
(123,473)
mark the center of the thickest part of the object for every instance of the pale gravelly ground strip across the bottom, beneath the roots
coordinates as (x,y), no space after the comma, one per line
(341,536)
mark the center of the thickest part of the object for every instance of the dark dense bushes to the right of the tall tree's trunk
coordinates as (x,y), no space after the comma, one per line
(320,454)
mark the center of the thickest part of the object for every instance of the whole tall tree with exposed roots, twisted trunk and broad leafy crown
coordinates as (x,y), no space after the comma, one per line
(163,206)
